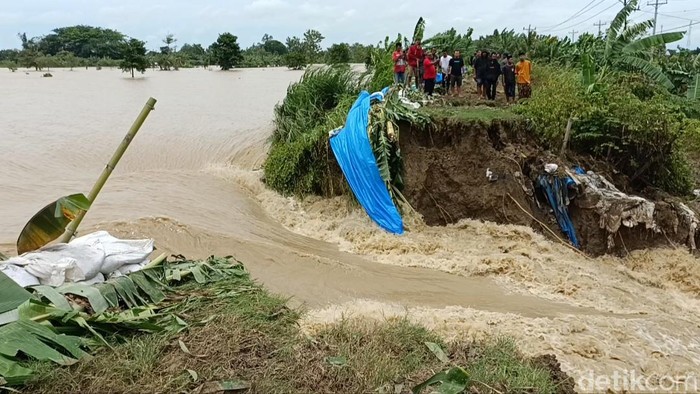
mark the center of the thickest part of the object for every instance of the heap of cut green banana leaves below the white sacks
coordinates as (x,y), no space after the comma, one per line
(126,304)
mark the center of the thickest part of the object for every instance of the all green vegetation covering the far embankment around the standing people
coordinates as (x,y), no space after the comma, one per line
(630,103)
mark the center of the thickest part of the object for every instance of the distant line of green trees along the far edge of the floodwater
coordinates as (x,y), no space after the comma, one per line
(85,46)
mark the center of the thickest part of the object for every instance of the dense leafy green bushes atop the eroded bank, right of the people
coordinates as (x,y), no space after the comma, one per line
(636,127)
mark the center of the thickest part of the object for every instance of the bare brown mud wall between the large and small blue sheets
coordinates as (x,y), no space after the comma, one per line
(446,171)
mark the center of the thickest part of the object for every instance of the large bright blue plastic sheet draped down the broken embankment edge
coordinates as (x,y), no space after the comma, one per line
(353,151)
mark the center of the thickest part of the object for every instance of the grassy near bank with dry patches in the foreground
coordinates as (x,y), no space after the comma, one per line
(242,336)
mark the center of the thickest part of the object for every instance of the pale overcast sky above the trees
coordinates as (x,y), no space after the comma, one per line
(365,21)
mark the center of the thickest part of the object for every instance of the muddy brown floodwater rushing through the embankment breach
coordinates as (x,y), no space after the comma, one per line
(191,180)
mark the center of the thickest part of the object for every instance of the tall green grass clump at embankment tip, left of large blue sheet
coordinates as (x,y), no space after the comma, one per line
(299,161)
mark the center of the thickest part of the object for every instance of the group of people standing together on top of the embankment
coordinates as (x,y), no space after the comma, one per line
(426,69)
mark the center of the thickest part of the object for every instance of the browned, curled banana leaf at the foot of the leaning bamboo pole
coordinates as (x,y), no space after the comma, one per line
(50,223)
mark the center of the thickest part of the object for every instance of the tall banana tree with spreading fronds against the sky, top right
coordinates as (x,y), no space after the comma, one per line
(626,48)
